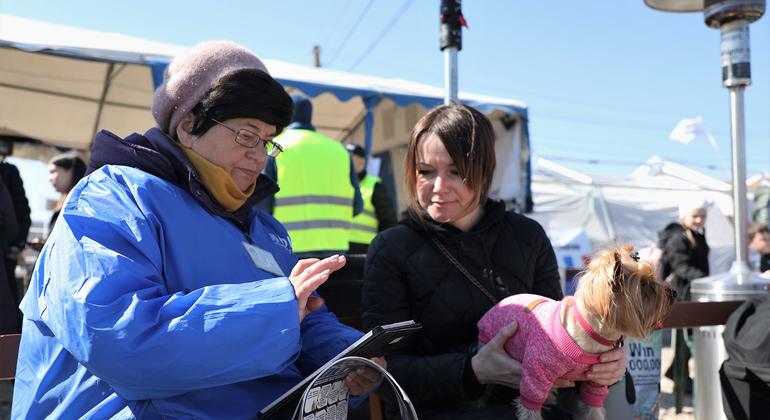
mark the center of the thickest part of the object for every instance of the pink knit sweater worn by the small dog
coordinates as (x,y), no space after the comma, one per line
(543,346)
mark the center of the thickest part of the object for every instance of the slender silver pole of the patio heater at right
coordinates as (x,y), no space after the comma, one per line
(739,173)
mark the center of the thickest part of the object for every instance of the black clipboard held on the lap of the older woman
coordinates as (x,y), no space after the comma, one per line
(377,342)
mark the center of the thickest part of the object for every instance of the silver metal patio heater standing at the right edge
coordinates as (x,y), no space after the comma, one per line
(732,18)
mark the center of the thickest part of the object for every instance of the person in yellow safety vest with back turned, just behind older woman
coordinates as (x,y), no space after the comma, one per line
(319,196)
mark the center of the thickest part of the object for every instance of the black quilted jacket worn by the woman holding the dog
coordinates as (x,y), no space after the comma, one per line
(407,277)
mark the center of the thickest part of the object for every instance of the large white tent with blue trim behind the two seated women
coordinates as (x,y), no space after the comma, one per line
(60,84)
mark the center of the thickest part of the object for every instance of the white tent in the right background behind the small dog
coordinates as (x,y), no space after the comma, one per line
(630,208)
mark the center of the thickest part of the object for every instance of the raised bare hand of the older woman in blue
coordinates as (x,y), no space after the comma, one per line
(307,275)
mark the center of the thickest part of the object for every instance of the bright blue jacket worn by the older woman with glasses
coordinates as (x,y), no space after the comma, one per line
(146,302)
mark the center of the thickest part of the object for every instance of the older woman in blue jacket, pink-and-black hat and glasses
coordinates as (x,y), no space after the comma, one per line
(162,292)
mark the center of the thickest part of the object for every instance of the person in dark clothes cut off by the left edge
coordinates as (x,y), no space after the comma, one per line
(13,245)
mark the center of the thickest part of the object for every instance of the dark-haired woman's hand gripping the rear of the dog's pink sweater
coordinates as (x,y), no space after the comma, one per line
(492,365)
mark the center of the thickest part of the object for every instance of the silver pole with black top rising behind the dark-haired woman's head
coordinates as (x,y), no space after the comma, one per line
(451,41)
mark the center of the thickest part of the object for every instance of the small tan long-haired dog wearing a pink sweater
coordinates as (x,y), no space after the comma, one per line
(617,296)
